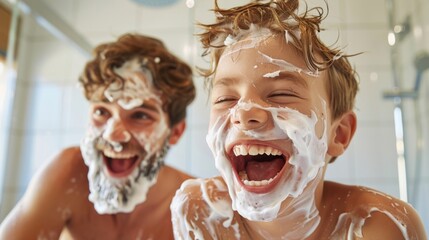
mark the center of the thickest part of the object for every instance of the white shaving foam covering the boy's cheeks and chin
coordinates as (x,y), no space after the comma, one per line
(302,170)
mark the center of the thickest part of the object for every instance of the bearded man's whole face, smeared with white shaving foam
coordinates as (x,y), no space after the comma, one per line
(127,141)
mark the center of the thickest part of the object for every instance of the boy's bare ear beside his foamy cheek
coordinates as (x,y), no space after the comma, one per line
(342,133)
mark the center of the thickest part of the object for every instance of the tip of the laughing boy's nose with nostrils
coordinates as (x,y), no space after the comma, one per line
(249,119)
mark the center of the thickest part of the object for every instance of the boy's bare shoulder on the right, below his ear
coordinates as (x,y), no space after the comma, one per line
(372,214)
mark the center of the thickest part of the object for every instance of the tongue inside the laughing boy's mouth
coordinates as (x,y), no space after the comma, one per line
(263,170)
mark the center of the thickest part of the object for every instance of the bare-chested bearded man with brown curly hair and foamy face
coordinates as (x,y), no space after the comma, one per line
(115,186)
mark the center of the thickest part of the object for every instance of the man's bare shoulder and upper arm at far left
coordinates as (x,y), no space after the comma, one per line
(54,193)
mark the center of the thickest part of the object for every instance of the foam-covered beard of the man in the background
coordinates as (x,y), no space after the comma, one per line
(110,195)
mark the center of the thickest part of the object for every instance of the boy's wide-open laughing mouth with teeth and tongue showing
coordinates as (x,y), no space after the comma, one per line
(257,166)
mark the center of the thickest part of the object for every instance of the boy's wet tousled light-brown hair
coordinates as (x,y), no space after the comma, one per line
(280,16)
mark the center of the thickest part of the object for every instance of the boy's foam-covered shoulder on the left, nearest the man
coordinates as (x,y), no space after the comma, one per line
(201,209)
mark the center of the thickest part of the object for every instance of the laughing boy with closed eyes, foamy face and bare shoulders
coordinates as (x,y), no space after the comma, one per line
(281,110)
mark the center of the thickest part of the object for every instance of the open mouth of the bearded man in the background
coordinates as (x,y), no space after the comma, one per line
(119,165)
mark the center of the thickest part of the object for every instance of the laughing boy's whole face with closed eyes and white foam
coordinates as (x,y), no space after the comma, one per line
(268,131)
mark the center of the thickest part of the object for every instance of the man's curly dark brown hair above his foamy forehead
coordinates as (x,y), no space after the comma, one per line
(171,76)
